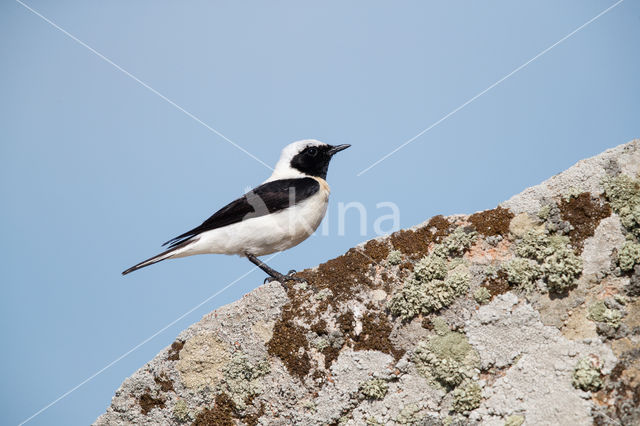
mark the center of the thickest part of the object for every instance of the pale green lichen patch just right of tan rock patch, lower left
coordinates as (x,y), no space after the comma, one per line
(242,378)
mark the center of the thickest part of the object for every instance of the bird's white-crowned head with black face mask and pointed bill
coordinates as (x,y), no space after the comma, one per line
(306,158)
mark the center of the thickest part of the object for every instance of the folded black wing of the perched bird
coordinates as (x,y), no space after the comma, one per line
(269,197)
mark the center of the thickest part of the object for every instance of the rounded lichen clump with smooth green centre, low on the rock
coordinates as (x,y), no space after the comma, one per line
(447,357)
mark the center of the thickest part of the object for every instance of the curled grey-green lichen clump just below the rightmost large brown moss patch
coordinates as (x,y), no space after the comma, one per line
(559,265)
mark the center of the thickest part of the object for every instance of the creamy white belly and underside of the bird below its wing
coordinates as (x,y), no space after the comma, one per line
(265,234)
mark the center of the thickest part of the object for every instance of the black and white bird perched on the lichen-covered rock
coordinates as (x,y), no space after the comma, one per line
(277,215)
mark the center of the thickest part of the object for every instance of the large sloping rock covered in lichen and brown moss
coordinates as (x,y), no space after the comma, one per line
(525,314)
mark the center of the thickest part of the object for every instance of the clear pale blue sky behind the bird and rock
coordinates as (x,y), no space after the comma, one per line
(98,170)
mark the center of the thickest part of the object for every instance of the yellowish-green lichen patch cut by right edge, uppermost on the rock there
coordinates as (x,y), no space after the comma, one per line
(623,193)
